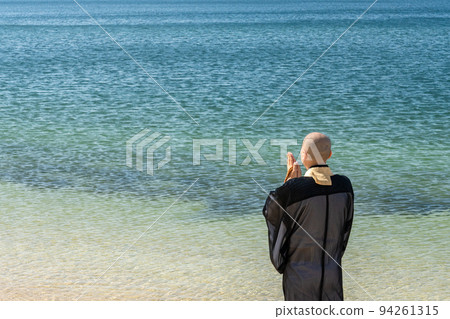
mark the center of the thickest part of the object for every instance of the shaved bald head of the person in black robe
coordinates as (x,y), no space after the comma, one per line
(316,149)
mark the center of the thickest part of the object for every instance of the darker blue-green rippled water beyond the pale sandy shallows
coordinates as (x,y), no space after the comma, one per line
(70,98)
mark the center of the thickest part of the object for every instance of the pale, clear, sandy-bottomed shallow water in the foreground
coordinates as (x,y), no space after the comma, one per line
(56,243)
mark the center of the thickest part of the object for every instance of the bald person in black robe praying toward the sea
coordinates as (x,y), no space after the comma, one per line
(309,220)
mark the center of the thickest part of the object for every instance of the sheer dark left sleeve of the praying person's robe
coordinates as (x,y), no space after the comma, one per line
(274,213)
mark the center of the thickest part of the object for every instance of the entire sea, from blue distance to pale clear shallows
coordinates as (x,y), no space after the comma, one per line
(70,98)
